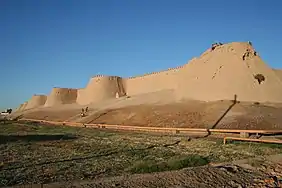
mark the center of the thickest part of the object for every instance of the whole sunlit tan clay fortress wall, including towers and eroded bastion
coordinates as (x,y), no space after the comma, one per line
(206,77)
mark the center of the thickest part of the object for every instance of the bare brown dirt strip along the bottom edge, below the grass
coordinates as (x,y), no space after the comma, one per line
(223,176)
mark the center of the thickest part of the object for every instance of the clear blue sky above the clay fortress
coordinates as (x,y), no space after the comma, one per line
(62,43)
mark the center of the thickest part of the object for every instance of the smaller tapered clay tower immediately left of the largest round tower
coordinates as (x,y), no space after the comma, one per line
(60,96)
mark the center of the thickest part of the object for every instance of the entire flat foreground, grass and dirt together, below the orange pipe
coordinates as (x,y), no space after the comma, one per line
(61,156)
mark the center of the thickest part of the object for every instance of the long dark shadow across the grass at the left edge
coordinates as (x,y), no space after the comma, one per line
(33,138)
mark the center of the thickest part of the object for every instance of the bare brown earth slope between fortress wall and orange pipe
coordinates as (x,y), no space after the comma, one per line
(192,114)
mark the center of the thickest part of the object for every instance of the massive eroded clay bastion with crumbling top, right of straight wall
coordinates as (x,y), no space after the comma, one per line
(224,72)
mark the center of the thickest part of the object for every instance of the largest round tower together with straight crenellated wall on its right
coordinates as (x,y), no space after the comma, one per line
(101,87)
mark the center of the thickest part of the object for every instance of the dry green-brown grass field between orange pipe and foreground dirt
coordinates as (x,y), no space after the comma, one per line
(98,153)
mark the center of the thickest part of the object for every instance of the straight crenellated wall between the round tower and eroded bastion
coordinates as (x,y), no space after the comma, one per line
(152,82)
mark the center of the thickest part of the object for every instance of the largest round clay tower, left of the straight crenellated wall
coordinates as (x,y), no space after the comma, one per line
(101,88)
